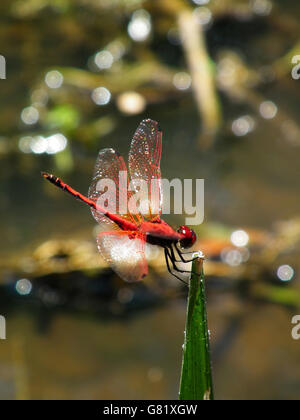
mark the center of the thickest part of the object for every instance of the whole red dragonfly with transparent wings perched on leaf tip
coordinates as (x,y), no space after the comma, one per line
(123,237)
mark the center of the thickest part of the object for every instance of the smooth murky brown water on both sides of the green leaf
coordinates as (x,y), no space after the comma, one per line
(82,357)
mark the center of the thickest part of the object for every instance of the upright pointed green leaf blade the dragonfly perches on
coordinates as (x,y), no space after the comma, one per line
(196,376)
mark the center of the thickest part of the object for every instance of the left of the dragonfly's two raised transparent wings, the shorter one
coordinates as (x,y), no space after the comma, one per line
(111,166)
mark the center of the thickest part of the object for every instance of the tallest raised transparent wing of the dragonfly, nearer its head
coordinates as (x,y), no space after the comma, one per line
(144,165)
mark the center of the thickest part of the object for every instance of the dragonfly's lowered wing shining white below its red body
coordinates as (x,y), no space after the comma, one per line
(125,253)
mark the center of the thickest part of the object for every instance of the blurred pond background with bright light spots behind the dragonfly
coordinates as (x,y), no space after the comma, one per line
(80,76)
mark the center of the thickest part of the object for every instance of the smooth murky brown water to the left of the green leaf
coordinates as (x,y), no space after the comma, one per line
(82,358)
